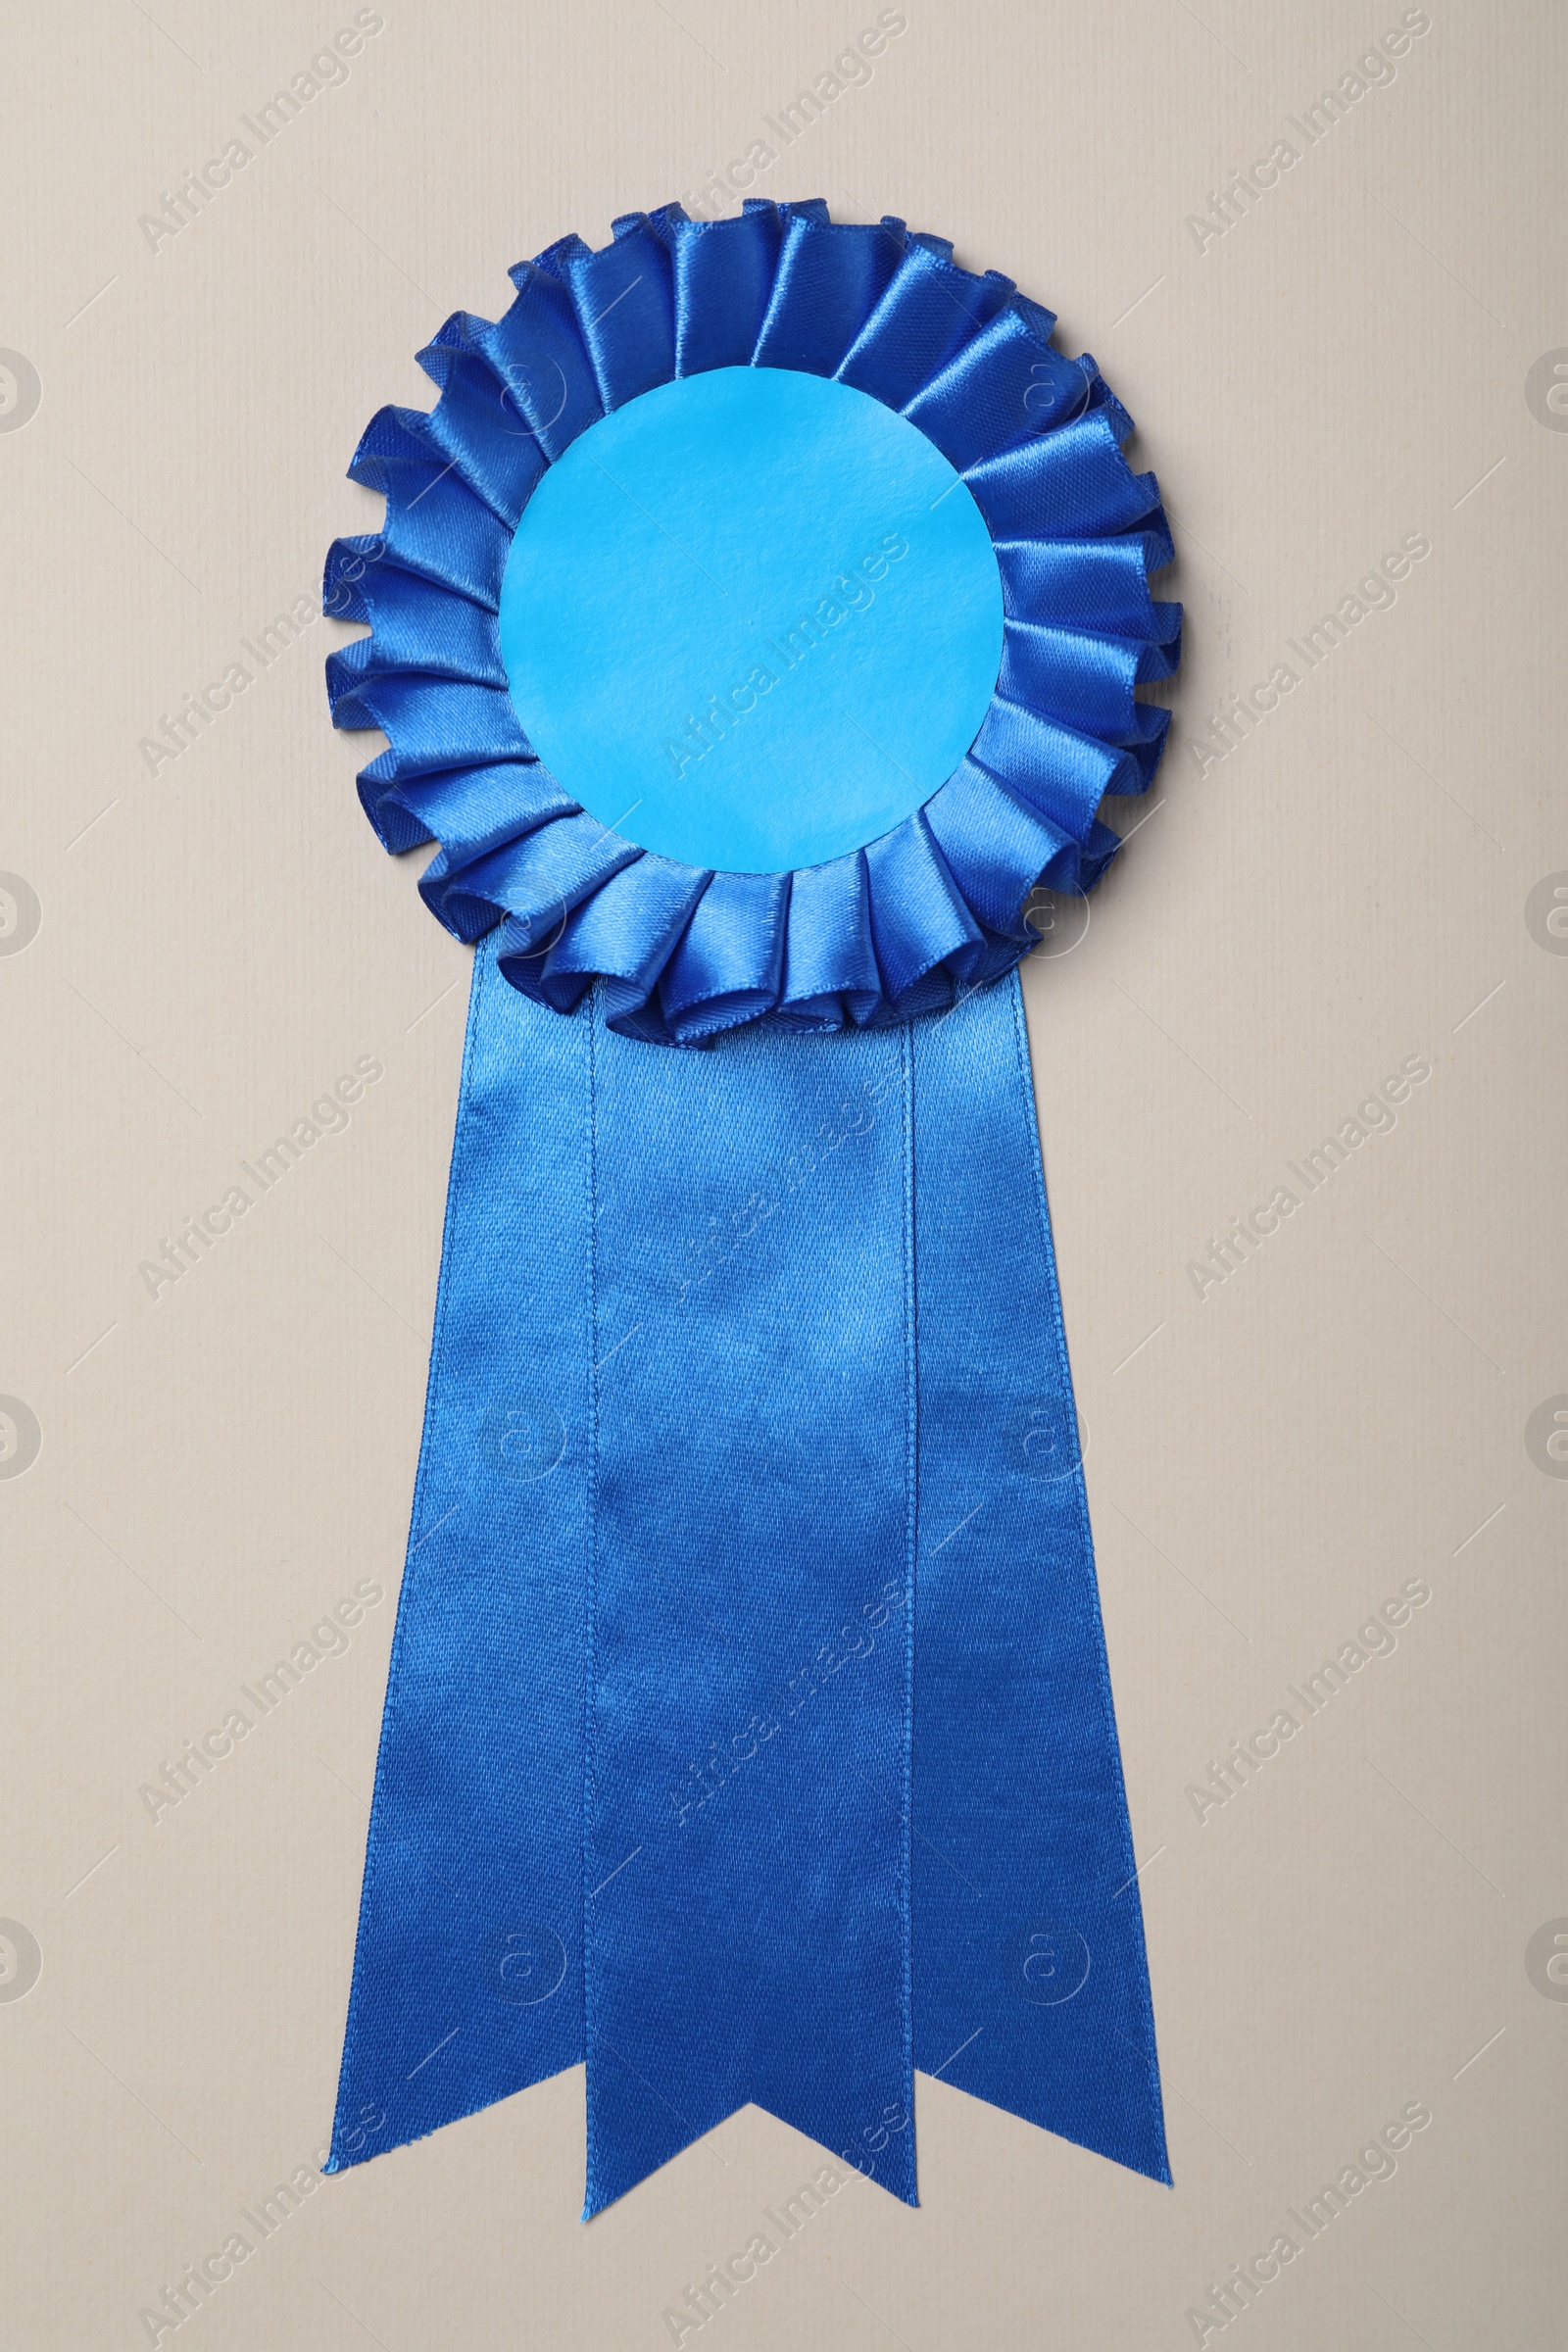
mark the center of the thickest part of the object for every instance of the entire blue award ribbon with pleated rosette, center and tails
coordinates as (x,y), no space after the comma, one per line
(756,629)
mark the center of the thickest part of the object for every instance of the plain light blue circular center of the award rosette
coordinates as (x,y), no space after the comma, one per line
(753,620)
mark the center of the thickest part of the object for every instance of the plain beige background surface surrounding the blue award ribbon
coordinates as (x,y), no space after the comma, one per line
(1266,1464)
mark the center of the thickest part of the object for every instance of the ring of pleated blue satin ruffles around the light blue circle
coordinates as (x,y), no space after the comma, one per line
(916,918)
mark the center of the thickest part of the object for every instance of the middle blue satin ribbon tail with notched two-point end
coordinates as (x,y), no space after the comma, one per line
(753,1497)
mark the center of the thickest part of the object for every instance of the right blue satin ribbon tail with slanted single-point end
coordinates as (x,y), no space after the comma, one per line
(1031,1977)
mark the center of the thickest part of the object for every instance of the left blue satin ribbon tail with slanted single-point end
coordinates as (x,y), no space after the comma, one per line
(469,1963)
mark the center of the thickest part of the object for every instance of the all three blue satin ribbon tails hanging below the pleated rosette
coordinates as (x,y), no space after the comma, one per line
(749,1725)
